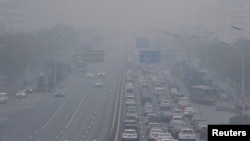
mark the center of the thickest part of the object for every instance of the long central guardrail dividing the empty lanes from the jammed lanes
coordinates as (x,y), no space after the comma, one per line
(117,112)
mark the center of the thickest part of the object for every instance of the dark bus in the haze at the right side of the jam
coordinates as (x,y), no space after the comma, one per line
(203,94)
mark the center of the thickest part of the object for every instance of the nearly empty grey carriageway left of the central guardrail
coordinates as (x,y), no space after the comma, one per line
(84,113)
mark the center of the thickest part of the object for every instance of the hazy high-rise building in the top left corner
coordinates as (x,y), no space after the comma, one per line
(12,15)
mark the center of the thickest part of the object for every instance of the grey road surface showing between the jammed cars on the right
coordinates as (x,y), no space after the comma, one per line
(209,112)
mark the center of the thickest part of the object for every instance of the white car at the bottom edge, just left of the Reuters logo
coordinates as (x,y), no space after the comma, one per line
(187,134)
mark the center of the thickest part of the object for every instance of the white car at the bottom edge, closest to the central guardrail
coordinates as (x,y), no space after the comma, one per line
(130,135)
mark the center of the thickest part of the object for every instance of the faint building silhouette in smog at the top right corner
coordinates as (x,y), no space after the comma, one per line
(232,13)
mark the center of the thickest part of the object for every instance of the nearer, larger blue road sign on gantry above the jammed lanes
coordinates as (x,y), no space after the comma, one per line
(149,56)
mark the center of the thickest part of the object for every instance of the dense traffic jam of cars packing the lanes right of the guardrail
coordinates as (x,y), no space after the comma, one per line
(155,108)
